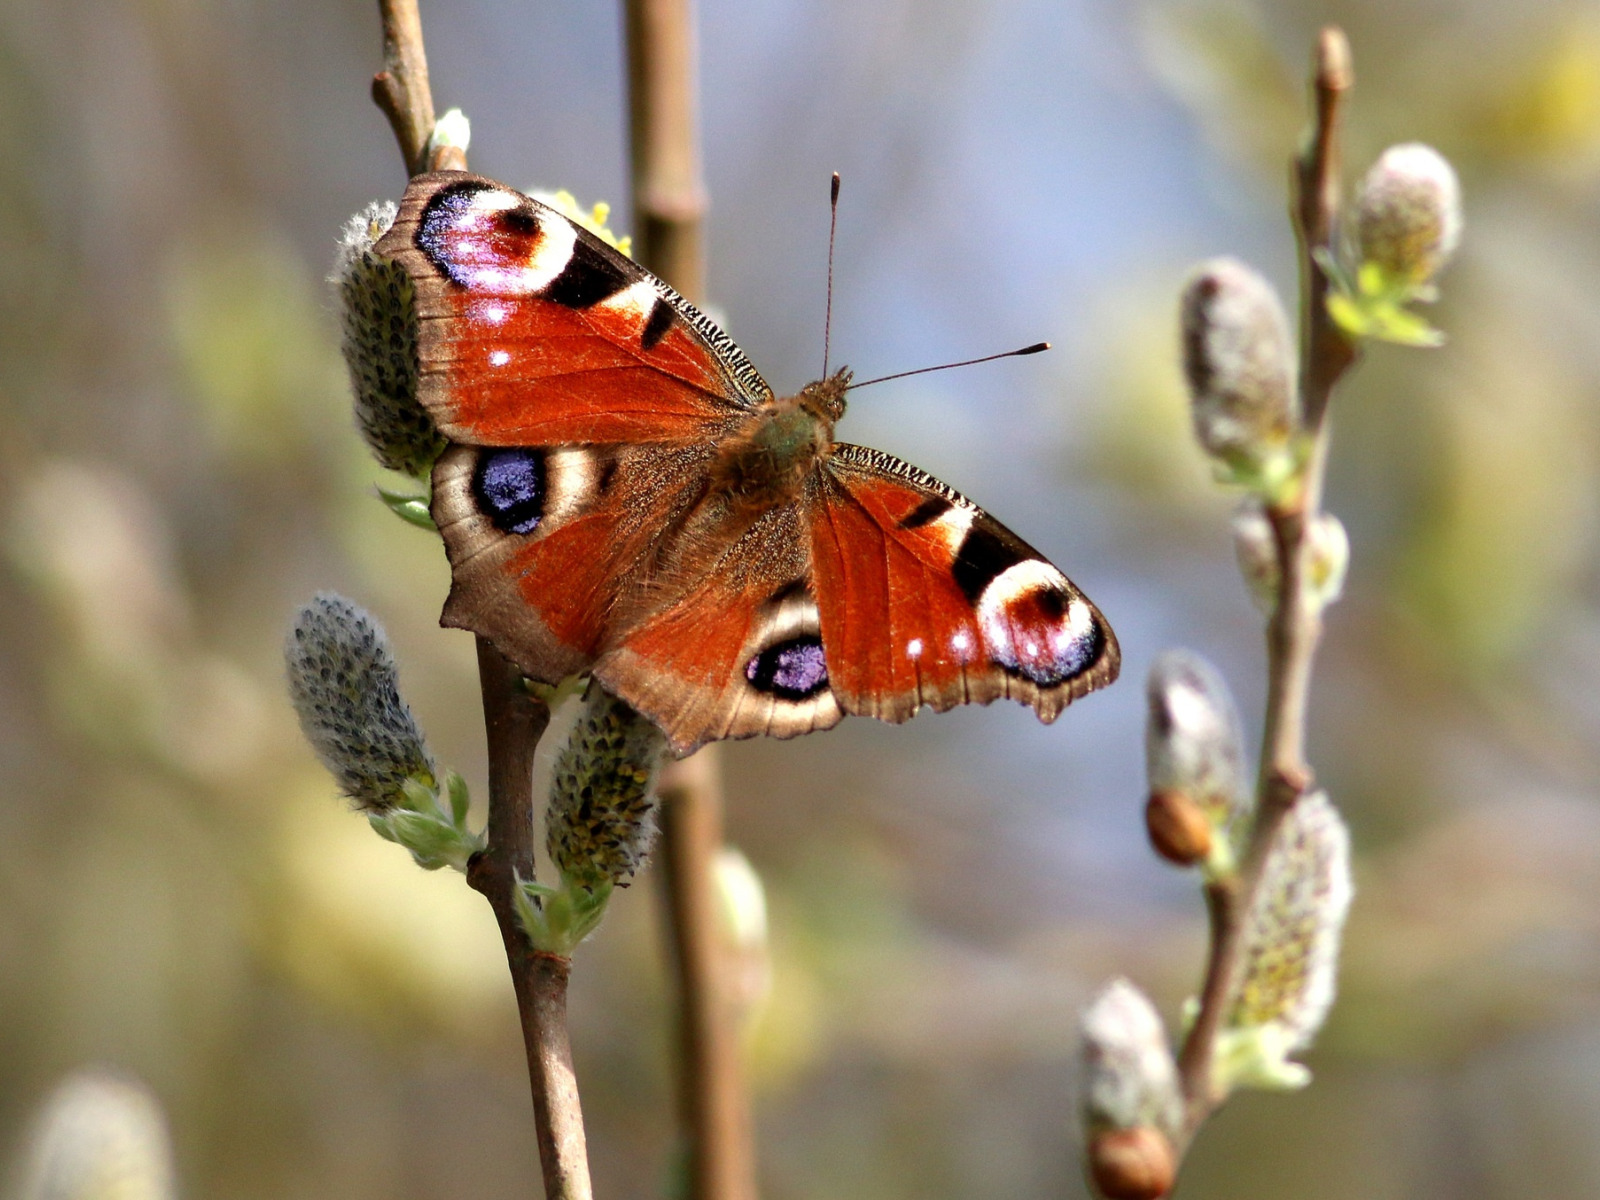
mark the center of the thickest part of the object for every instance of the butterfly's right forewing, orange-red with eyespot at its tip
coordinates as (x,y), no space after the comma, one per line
(929,601)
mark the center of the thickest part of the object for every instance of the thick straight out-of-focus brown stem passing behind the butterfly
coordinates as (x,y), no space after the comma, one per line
(670,207)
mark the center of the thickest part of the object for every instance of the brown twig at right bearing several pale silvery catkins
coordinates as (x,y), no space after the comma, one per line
(1295,626)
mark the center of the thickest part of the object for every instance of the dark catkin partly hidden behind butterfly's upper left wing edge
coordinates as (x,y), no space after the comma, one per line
(380,346)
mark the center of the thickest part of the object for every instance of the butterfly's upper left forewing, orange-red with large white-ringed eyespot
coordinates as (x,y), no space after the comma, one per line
(535,332)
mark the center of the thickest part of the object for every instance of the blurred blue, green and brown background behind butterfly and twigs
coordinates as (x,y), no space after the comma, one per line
(185,898)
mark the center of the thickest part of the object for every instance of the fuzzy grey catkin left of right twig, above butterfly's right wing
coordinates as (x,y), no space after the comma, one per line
(1241,370)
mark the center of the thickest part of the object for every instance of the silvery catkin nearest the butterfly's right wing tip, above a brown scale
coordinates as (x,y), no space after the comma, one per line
(1194,750)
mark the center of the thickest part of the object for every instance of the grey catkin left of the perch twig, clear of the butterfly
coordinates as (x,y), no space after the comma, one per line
(346,692)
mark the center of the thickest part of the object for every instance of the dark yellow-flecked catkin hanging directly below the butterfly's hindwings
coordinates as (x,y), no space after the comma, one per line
(602,817)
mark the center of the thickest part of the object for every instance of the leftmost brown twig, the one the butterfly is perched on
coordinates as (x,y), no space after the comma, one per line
(513,721)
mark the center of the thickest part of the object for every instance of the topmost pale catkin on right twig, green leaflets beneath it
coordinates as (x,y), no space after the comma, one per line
(1409,214)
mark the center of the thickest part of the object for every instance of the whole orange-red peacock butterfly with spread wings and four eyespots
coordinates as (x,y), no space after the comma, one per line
(626,497)
